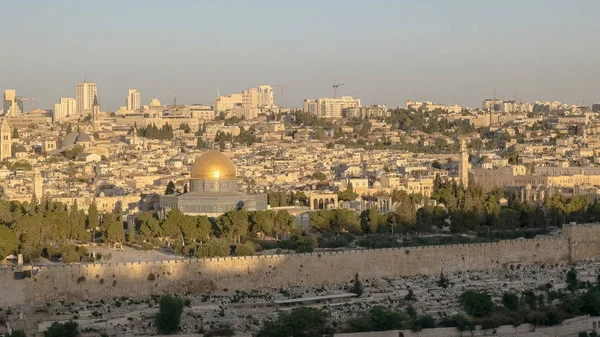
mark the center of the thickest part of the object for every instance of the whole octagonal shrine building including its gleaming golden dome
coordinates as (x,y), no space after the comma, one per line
(213,189)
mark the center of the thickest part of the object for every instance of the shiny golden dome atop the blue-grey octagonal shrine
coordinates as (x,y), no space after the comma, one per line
(213,165)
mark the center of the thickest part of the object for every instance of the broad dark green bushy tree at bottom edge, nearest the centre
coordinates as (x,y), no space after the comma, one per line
(299,322)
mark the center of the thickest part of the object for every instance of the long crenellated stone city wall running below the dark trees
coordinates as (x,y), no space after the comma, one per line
(97,281)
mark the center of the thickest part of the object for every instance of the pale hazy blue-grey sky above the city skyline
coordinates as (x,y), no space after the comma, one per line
(385,51)
